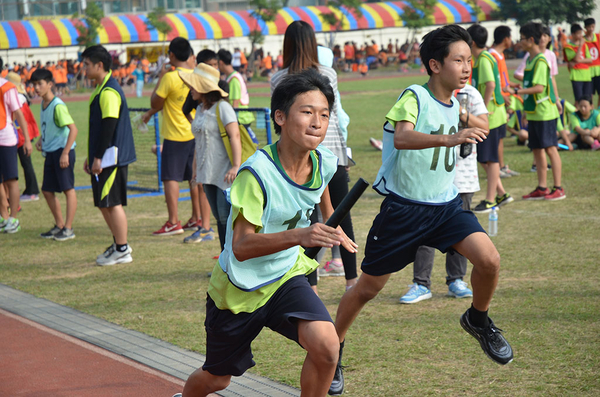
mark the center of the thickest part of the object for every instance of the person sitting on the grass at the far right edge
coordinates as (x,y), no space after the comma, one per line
(585,126)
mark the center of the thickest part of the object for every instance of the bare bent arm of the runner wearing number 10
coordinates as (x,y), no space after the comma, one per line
(405,137)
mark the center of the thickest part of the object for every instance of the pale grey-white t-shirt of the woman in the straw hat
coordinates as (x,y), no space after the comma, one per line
(212,161)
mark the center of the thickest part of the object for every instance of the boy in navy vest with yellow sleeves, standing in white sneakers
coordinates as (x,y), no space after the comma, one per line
(110,151)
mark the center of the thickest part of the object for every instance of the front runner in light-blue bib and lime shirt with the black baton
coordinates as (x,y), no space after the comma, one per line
(260,279)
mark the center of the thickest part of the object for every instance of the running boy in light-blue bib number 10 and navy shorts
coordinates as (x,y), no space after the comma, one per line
(421,205)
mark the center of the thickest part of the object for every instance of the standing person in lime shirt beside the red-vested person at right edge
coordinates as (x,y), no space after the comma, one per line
(578,56)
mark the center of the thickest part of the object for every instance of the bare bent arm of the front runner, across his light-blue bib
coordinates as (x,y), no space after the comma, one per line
(247,243)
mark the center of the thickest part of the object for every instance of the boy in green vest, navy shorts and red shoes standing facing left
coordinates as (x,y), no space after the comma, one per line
(542,114)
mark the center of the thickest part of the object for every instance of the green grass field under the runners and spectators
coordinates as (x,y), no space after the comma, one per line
(547,301)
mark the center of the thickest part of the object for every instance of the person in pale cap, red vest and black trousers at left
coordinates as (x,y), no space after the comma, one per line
(32,191)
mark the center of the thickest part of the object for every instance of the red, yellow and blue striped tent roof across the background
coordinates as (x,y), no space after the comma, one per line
(216,25)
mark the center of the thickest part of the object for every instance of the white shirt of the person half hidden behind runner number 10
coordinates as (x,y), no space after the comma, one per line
(466,178)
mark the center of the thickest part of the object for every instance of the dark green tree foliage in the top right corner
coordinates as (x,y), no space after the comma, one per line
(549,12)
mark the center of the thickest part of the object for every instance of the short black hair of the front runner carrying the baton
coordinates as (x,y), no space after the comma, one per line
(292,85)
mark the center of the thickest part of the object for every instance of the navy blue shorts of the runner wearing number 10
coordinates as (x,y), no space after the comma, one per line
(402,226)
